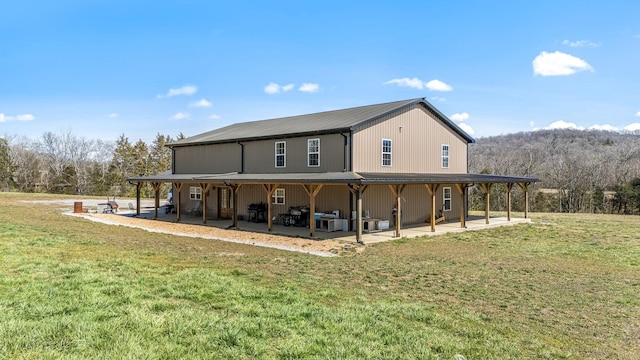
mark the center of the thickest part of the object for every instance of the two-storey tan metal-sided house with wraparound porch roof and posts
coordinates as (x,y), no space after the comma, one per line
(400,162)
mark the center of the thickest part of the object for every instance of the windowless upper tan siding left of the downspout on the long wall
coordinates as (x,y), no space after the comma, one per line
(207,159)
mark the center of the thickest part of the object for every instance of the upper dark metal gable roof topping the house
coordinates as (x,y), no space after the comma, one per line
(322,122)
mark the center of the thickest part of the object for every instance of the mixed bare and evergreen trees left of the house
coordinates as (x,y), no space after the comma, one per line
(64,163)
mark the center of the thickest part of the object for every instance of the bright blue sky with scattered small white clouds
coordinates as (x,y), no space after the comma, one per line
(104,68)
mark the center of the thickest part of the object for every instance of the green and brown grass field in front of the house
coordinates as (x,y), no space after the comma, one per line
(564,286)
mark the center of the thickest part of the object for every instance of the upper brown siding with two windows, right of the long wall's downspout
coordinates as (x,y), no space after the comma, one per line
(260,155)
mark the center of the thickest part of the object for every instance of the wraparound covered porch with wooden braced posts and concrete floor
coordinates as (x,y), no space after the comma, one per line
(357,184)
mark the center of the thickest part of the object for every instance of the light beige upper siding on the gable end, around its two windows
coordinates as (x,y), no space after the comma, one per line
(417,138)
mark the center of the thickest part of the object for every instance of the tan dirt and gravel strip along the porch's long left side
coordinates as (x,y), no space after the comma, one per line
(313,247)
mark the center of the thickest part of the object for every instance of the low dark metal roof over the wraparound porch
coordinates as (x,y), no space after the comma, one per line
(335,177)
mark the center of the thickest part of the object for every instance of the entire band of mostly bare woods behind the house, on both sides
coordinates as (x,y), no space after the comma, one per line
(579,171)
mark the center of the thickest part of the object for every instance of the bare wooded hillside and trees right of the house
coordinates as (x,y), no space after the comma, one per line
(580,171)
